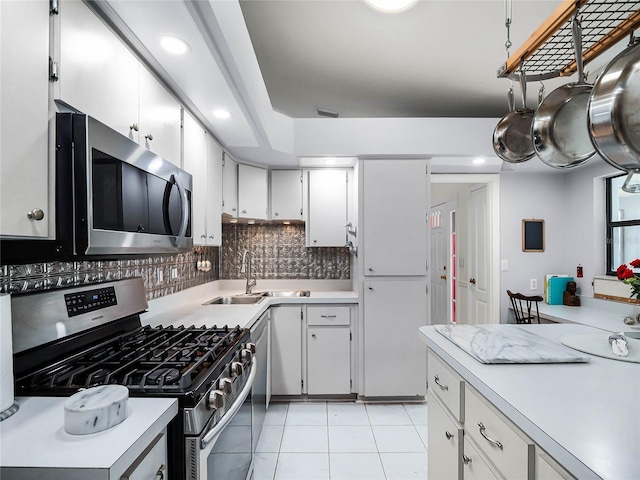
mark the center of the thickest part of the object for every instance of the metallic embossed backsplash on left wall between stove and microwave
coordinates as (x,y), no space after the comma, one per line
(43,276)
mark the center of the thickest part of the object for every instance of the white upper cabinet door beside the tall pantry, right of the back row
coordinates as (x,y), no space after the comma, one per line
(327,210)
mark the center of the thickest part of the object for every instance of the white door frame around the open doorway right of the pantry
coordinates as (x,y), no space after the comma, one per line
(492,181)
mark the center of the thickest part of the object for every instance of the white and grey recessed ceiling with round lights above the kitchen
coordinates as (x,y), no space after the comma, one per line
(273,63)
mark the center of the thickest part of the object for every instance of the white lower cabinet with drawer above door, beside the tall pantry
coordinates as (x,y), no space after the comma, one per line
(328,350)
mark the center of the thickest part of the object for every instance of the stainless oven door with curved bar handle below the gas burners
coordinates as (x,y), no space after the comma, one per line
(225,450)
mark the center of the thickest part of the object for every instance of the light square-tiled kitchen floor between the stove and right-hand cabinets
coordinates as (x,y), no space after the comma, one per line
(343,441)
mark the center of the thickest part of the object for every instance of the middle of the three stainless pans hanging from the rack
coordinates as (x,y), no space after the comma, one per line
(560,130)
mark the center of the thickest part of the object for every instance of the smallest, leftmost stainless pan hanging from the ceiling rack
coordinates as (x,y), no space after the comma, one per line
(512,136)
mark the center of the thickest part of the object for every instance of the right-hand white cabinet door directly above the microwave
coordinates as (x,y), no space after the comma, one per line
(158,118)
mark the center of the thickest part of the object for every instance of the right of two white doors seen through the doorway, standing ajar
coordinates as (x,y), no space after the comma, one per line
(479,274)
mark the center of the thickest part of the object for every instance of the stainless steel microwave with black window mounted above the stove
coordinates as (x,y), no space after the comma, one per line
(126,200)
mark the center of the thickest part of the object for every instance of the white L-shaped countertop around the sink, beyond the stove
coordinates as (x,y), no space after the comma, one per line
(186,308)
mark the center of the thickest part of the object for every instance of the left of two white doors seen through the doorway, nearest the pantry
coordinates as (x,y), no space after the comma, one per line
(442,269)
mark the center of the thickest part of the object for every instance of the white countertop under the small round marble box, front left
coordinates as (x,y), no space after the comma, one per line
(34,437)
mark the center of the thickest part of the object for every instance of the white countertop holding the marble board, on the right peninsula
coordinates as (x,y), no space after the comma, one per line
(585,415)
